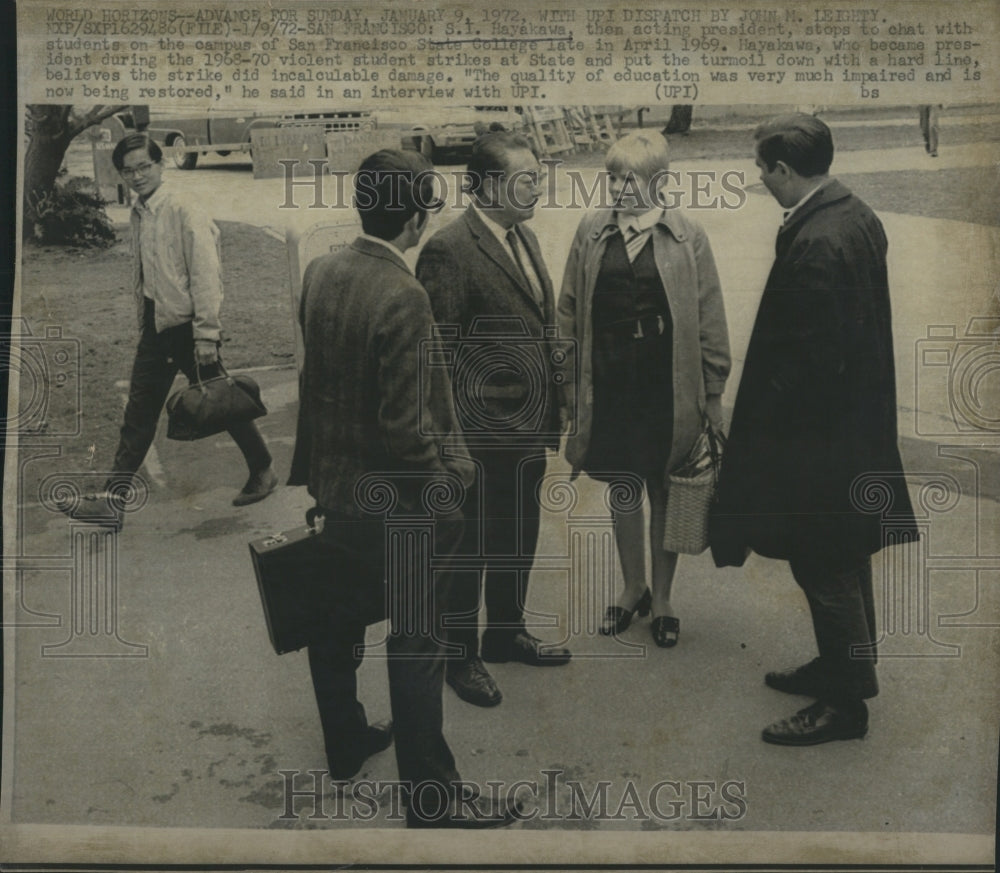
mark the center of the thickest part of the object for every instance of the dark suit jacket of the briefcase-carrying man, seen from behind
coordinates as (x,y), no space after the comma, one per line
(365,403)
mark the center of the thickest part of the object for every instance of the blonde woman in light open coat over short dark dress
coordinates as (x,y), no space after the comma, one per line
(641,297)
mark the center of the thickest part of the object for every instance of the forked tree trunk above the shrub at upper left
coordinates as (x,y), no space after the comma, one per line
(50,129)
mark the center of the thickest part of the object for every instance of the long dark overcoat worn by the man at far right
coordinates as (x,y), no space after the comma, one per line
(816,407)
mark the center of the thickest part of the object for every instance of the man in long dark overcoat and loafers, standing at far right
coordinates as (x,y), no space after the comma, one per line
(813,436)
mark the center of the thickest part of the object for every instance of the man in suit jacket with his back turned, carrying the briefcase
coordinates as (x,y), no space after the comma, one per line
(362,412)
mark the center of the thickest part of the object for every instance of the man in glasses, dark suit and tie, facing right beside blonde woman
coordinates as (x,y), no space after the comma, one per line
(489,288)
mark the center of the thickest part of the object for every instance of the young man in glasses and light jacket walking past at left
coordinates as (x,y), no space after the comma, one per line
(177,280)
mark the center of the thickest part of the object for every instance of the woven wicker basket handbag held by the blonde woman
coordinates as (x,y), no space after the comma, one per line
(691,490)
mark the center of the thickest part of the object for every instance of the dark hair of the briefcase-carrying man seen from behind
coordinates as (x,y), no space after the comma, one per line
(391,186)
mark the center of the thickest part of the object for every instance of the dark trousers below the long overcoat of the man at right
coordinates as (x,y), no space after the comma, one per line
(842,604)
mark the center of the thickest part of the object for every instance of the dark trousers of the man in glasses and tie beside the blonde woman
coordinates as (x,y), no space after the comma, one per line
(502,519)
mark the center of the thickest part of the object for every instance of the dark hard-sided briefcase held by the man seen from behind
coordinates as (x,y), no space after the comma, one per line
(306,582)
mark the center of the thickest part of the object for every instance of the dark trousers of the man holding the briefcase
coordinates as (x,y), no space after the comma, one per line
(415,659)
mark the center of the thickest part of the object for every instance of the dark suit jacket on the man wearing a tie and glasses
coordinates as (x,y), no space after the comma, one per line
(505,376)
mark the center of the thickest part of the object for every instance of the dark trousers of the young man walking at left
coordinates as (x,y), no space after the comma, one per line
(157,360)
